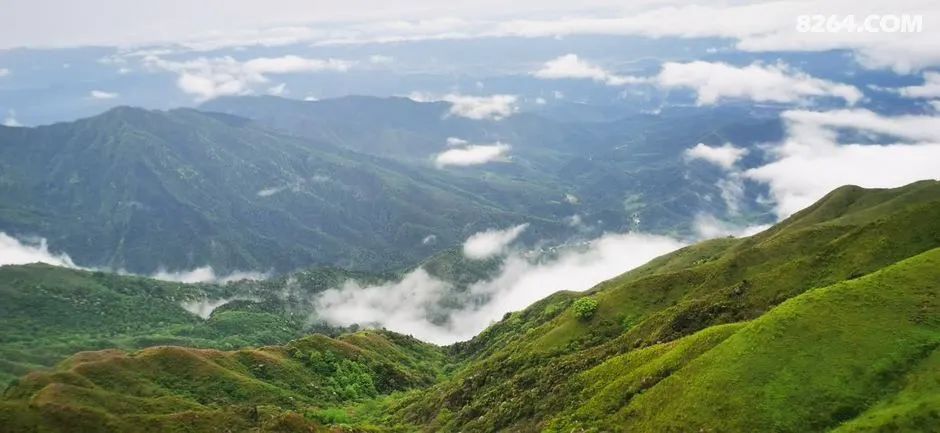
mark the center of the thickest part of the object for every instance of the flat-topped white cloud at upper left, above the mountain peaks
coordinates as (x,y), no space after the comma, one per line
(208,78)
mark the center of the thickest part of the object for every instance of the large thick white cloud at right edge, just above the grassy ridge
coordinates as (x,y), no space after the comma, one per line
(812,161)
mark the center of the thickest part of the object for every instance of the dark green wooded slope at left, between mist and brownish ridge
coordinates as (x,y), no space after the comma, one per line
(50,313)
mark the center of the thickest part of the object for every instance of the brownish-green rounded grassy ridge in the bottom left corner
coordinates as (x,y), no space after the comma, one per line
(162,388)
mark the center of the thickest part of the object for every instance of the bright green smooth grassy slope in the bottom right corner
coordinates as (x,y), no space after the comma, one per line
(810,364)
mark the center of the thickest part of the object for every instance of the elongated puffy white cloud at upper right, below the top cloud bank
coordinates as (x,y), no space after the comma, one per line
(756,82)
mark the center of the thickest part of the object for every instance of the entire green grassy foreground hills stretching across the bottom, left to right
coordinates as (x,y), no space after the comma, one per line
(827,322)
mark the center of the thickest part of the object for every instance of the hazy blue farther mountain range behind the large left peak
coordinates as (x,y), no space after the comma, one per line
(622,170)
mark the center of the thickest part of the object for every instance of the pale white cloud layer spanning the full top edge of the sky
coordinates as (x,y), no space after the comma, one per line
(768,26)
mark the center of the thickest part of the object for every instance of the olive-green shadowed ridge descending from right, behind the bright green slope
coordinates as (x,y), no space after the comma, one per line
(519,370)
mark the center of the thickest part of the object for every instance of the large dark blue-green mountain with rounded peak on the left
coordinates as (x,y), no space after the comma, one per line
(140,190)
